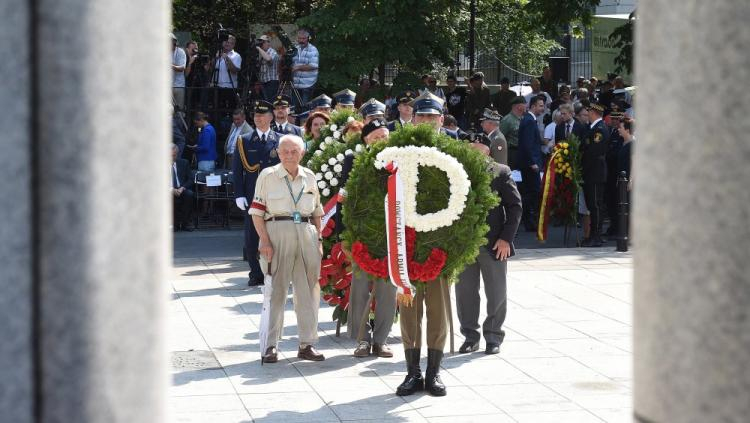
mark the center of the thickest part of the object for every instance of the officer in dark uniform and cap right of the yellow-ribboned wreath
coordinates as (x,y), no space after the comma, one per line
(593,152)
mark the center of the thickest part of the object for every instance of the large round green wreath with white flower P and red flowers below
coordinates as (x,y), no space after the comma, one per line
(446,226)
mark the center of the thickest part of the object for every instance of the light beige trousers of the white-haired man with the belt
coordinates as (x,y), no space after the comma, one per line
(296,260)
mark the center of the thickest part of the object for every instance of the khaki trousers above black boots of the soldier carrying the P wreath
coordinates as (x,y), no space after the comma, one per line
(433,298)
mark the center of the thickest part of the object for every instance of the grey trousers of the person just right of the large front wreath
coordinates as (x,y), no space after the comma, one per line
(468,300)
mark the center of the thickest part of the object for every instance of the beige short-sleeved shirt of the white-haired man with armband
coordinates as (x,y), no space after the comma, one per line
(272,197)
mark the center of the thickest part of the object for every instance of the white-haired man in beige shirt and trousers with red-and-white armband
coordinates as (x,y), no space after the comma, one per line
(286,212)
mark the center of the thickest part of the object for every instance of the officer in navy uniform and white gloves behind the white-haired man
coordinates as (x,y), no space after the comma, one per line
(254,152)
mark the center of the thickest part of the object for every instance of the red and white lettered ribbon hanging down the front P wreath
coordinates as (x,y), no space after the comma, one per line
(395,223)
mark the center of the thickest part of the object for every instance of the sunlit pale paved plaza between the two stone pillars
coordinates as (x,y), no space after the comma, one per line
(566,356)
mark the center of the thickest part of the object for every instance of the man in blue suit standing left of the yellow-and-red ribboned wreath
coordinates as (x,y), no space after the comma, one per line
(529,161)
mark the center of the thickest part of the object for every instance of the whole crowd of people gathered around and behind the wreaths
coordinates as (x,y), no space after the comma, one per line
(282,206)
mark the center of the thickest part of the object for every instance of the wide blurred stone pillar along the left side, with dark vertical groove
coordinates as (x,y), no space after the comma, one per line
(85,240)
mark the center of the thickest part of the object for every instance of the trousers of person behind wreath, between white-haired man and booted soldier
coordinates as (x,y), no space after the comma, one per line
(385,308)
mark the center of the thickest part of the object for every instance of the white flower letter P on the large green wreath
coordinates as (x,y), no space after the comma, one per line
(409,159)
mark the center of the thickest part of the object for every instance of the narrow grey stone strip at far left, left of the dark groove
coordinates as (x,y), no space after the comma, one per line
(16,323)
